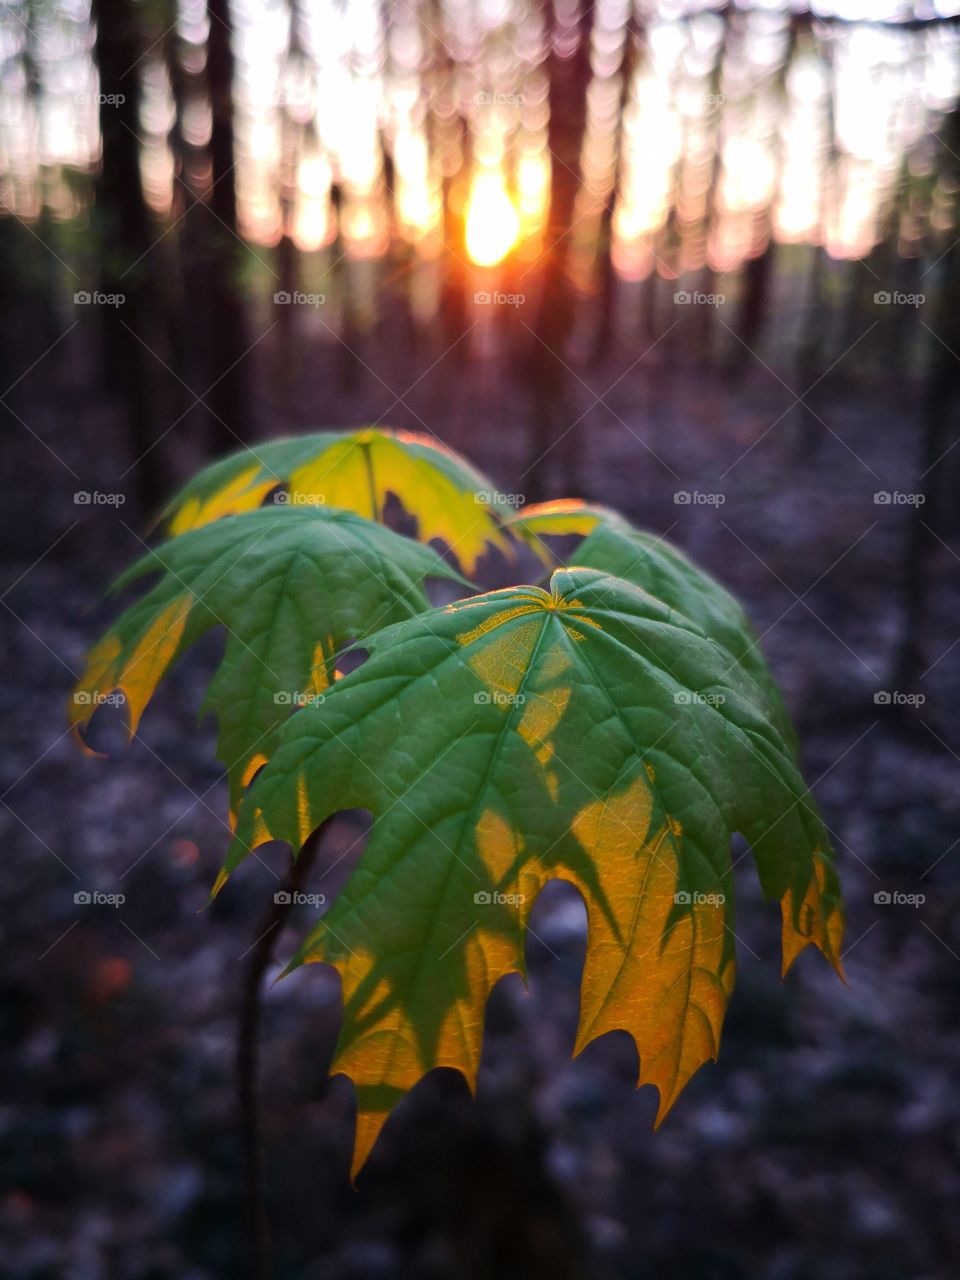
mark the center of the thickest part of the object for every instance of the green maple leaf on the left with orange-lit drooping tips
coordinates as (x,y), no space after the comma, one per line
(291,586)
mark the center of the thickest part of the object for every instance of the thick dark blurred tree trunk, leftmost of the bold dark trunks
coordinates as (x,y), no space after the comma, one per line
(126,240)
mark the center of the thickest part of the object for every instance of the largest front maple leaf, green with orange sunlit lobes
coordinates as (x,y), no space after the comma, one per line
(591,734)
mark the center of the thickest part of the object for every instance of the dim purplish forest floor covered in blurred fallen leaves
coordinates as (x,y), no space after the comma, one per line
(825,1141)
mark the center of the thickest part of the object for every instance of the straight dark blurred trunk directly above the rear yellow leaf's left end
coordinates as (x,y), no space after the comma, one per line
(230,382)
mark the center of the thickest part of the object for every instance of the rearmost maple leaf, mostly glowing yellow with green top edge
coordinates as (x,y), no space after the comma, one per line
(355,470)
